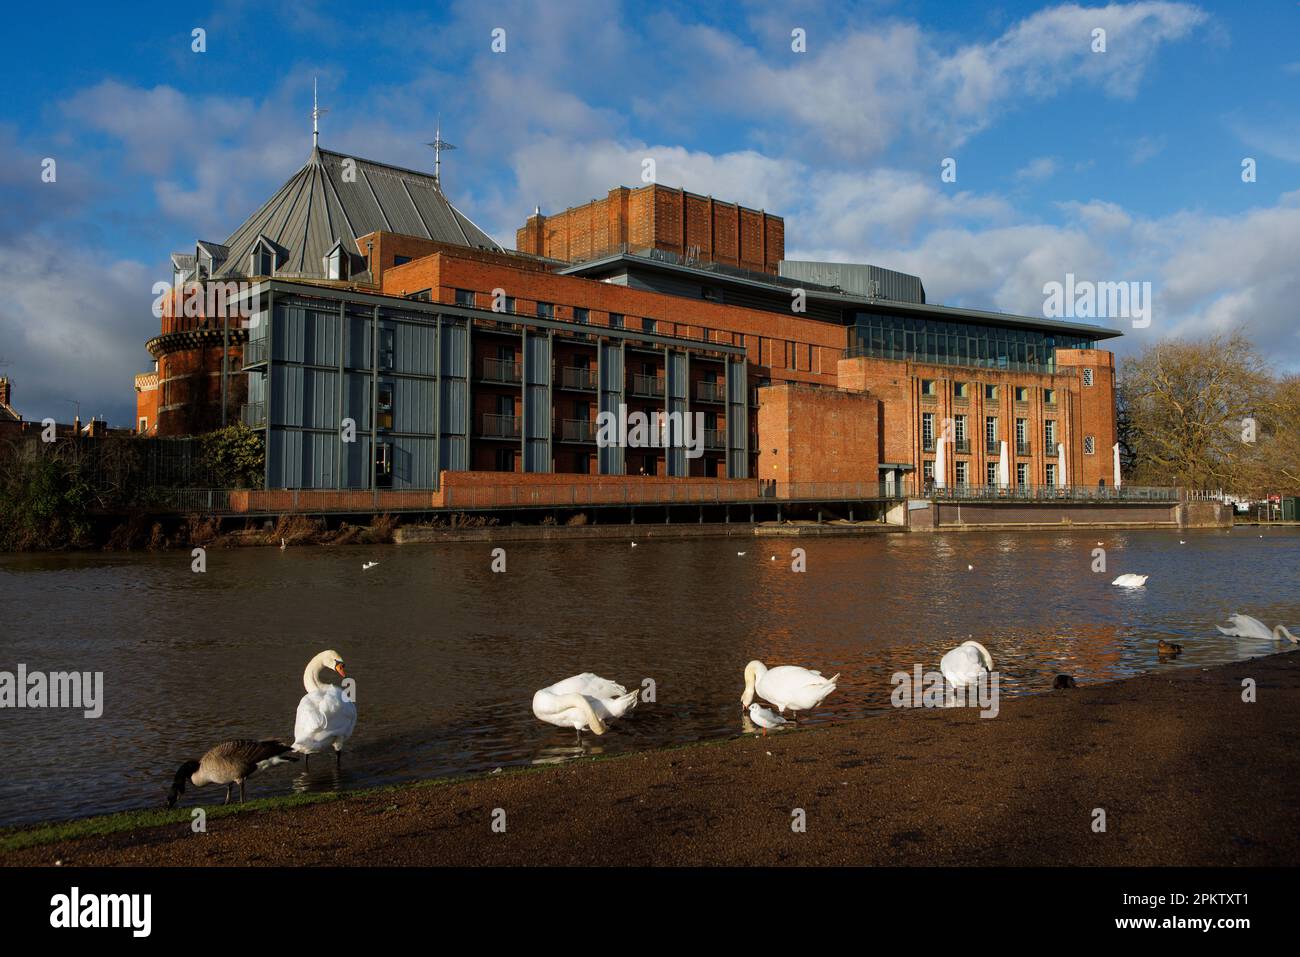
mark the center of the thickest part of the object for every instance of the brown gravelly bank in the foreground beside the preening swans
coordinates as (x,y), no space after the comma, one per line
(1182,768)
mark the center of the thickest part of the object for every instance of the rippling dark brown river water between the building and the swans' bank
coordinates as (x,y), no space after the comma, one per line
(447,655)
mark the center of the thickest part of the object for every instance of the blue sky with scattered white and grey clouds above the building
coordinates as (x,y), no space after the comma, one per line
(1117,167)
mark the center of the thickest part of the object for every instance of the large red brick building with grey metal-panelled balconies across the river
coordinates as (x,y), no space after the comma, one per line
(448,354)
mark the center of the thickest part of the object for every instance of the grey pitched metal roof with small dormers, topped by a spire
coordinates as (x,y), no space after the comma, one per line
(337,198)
